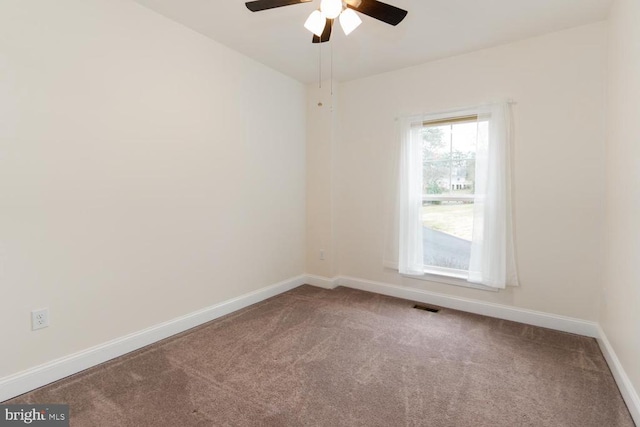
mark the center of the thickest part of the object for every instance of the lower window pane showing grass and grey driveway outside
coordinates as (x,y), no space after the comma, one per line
(448,227)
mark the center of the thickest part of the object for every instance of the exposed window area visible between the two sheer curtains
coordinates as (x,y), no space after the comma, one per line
(449,160)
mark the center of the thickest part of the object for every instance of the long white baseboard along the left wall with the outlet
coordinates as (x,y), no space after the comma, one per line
(22,382)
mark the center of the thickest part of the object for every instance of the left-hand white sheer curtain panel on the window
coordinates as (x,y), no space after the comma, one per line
(410,252)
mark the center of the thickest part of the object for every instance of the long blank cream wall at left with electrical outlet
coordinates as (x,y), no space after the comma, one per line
(145,172)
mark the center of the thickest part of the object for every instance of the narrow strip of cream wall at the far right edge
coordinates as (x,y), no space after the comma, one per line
(620,308)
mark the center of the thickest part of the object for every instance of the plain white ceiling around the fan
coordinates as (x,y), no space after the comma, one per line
(433,29)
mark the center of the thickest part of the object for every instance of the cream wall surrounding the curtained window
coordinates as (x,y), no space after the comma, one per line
(558,82)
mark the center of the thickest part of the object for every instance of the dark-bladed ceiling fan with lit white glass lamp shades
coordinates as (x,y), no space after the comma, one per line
(320,22)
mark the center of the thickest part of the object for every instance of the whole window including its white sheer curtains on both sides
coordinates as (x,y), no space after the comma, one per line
(454,204)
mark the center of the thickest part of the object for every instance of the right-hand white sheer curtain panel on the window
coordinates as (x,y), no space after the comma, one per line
(492,261)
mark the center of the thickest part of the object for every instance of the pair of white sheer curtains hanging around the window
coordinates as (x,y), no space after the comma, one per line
(492,258)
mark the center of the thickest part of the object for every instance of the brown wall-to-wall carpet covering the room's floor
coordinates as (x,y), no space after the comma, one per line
(314,357)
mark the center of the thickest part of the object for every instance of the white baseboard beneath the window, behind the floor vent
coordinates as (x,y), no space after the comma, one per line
(530,317)
